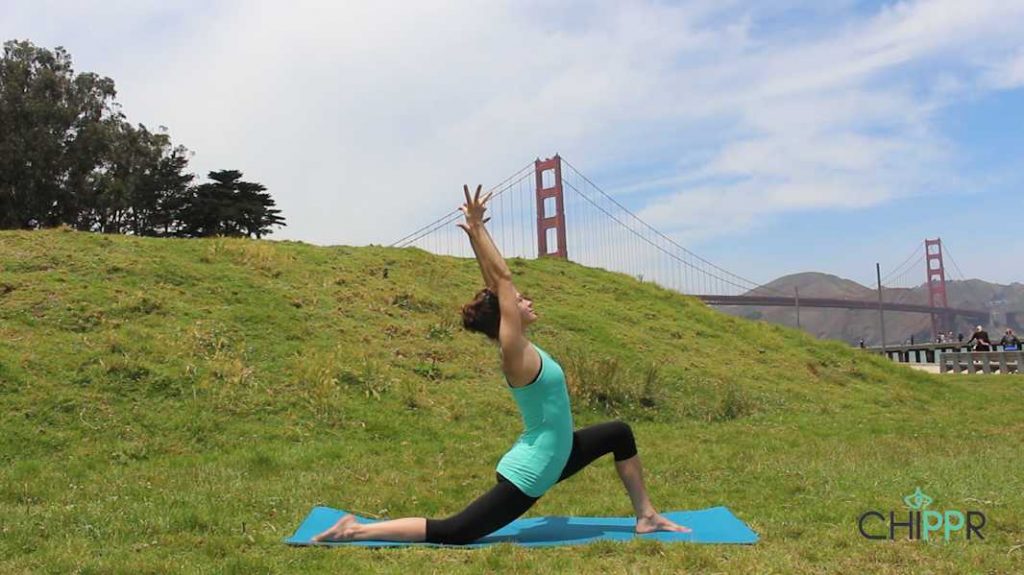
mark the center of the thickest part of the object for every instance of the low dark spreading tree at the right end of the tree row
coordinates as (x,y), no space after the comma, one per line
(229,206)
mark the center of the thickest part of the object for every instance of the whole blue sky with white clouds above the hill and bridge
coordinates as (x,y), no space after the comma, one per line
(770,138)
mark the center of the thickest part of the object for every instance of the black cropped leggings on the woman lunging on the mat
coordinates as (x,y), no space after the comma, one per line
(505,502)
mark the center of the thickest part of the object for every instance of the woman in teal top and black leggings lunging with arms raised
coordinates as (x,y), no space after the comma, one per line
(548,451)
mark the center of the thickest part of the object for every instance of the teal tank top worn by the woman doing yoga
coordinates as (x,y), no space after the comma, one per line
(538,458)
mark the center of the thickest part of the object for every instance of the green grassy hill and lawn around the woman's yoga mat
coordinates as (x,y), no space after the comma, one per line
(180,406)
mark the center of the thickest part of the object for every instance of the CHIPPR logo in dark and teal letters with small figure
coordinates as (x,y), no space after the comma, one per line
(922,523)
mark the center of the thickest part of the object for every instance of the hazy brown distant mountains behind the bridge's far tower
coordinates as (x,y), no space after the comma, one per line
(851,326)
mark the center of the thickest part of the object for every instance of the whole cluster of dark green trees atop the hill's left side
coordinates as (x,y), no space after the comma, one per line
(70,157)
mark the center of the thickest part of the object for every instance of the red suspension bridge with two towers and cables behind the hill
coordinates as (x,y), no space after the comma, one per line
(549,209)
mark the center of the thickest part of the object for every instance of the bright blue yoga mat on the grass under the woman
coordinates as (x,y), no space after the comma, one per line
(714,525)
